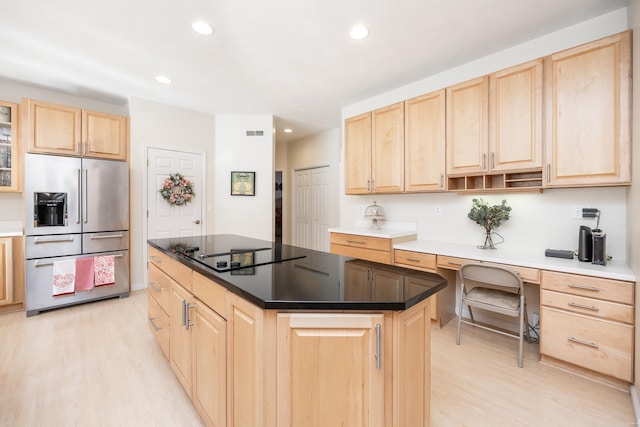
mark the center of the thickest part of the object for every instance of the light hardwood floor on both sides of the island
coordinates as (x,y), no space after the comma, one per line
(98,365)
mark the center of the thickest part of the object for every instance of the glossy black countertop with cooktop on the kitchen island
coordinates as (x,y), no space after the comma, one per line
(304,278)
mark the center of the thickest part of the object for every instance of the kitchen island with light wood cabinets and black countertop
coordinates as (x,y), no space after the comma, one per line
(264,334)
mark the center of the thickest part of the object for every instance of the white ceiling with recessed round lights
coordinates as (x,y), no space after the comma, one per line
(290,58)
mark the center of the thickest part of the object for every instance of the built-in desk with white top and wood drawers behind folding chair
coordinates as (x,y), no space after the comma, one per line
(586,311)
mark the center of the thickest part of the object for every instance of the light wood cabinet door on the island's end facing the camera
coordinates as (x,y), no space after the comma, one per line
(345,350)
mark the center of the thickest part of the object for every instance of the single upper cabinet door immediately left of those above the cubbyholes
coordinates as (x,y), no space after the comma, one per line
(424,143)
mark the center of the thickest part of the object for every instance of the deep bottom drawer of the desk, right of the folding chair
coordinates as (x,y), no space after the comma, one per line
(596,344)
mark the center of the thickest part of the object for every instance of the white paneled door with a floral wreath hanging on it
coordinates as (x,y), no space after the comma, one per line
(166,220)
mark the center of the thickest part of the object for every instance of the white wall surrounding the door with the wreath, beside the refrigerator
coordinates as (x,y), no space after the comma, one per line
(162,126)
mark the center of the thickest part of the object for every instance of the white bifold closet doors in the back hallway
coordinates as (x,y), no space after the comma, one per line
(311,208)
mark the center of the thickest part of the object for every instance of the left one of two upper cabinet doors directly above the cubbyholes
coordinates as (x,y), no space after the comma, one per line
(467,126)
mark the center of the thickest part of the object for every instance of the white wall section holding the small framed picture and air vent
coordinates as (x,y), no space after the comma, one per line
(250,216)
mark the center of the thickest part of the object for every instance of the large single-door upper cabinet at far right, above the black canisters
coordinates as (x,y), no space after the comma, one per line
(588,103)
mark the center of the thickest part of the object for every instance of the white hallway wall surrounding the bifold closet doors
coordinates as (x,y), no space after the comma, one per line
(322,149)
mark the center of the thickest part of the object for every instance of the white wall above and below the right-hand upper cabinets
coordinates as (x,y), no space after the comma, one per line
(539,221)
